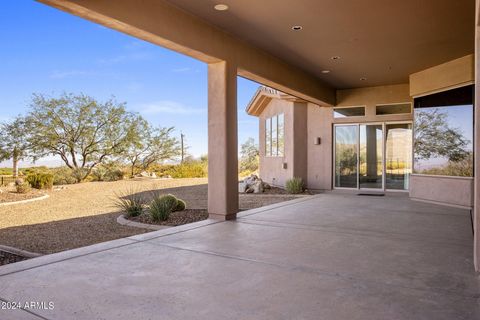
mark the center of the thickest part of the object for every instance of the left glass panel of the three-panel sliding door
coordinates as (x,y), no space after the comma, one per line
(346,156)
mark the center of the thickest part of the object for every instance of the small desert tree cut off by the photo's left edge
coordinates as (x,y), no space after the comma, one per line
(14,141)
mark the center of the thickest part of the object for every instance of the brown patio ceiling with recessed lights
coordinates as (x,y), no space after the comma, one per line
(381,40)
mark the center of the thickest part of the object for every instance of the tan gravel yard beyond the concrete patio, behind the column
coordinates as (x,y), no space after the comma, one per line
(84,214)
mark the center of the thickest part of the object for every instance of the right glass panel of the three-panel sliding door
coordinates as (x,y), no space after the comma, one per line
(398,156)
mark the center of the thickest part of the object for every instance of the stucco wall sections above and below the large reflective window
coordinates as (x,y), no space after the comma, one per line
(444,190)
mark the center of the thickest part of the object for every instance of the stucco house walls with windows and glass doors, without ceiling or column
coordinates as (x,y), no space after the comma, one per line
(369,139)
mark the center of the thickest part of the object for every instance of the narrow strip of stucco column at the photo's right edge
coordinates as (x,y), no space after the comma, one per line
(476,205)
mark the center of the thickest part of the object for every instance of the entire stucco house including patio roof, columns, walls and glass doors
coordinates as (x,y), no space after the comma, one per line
(354,69)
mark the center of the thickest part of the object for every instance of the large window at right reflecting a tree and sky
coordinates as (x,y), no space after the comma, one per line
(444,133)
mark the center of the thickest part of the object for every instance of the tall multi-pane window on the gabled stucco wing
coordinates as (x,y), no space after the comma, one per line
(275,136)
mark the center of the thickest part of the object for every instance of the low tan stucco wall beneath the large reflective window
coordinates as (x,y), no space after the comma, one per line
(443,190)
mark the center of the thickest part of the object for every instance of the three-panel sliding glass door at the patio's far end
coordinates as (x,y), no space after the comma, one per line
(373,156)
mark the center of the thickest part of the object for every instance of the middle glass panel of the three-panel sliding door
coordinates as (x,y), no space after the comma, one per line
(371,156)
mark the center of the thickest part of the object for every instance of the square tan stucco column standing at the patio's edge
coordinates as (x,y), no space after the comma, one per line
(222,141)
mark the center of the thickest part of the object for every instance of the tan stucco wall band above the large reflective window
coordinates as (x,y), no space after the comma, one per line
(454,73)
